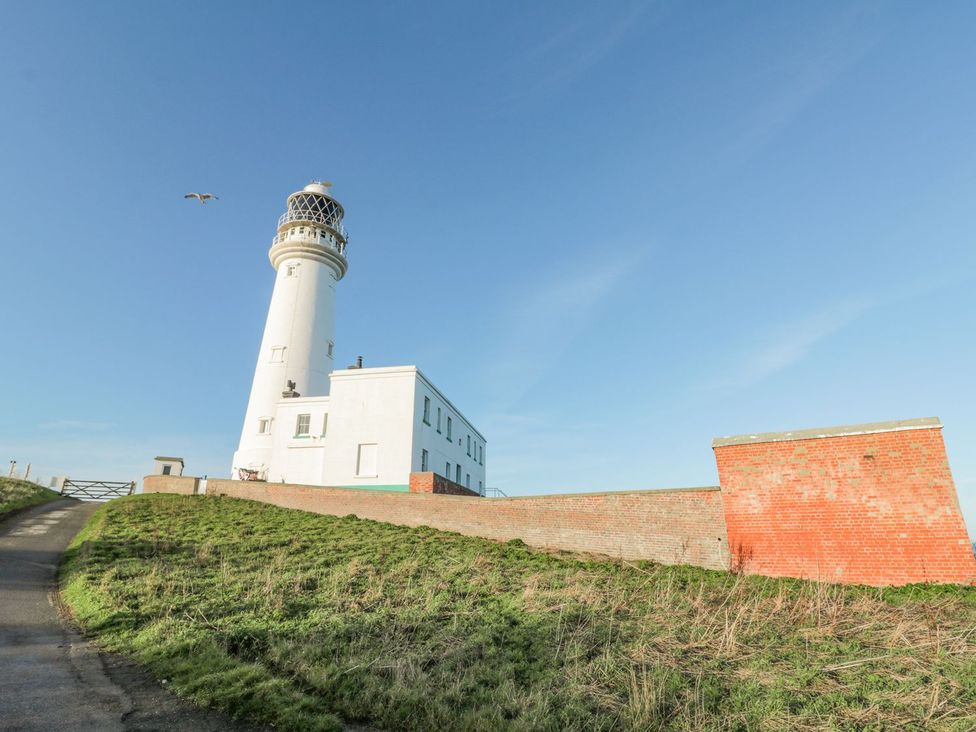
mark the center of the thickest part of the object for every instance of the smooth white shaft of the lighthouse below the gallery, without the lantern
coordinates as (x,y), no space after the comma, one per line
(295,346)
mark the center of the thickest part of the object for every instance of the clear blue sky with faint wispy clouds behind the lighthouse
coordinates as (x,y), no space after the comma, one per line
(609,232)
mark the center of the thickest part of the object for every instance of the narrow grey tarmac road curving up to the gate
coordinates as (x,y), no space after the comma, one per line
(50,678)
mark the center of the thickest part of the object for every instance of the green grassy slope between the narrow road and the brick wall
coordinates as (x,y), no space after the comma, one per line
(300,619)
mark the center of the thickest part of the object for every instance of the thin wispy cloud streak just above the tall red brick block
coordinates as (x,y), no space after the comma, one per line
(789,345)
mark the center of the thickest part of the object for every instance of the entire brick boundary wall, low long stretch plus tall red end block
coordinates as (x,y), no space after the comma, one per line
(869,503)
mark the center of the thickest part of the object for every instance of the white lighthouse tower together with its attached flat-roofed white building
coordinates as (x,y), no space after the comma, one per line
(351,428)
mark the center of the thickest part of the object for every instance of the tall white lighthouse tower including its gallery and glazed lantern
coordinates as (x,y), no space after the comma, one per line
(296,355)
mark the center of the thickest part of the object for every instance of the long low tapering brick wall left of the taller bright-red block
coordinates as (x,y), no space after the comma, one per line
(673,527)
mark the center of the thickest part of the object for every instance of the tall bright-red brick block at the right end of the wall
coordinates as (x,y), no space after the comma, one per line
(878,509)
